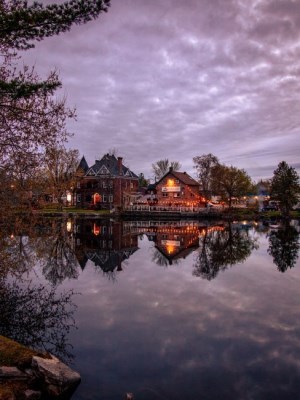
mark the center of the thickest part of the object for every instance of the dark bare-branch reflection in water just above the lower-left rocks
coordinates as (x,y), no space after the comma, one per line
(37,317)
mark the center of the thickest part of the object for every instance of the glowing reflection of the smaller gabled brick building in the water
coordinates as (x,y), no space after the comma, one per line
(176,242)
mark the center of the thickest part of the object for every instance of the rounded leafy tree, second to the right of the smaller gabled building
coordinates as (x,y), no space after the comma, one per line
(230,182)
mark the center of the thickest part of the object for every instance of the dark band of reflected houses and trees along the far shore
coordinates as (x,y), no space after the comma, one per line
(63,247)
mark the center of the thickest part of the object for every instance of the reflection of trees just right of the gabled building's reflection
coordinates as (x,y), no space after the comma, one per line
(222,248)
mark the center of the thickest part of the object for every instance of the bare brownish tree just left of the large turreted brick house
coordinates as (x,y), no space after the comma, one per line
(60,169)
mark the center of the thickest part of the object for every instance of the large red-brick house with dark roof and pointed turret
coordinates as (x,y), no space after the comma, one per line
(105,185)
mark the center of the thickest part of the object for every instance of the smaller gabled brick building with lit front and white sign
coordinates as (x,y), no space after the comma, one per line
(178,188)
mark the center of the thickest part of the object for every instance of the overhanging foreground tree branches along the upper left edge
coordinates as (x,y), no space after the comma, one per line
(30,118)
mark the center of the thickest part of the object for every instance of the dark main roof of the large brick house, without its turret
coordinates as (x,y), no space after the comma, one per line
(109,165)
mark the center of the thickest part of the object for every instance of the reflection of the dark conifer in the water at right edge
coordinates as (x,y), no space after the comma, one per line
(284,247)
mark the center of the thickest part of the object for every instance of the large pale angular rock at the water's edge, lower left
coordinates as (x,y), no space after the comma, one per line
(58,377)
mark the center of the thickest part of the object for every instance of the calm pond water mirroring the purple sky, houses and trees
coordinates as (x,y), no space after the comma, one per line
(179,310)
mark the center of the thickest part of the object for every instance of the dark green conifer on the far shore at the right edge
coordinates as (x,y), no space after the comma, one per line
(285,187)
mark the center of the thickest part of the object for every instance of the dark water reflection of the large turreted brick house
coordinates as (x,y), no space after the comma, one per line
(106,243)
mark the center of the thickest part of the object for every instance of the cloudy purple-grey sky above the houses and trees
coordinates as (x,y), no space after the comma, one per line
(176,79)
